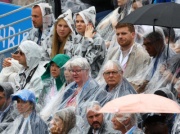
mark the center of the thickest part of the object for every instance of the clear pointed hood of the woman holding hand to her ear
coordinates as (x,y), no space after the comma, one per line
(88,15)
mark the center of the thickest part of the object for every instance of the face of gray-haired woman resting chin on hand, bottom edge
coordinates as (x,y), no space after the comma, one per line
(56,125)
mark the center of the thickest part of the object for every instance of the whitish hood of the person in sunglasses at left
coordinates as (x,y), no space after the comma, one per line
(32,53)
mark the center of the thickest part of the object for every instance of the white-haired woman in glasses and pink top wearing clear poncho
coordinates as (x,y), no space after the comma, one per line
(78,92)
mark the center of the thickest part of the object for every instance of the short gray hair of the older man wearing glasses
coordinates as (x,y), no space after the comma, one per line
(111,63)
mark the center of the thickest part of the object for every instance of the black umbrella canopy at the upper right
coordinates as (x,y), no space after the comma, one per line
(160,14)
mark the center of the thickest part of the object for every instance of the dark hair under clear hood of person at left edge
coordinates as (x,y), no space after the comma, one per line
(7,88)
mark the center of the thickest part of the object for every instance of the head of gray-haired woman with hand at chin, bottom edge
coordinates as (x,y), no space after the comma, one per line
(63,121)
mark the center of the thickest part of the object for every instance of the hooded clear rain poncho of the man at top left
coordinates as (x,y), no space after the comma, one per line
(38,36)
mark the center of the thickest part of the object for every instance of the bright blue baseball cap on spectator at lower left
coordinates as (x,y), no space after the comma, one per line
(25,95)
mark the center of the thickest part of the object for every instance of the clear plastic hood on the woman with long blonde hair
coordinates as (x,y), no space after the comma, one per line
(67,16)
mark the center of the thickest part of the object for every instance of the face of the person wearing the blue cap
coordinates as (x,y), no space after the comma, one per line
(24,107)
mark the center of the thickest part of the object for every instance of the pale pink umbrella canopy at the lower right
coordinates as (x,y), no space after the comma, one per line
(141,103)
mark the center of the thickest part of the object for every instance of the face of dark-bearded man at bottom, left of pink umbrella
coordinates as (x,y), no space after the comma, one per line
(94,119)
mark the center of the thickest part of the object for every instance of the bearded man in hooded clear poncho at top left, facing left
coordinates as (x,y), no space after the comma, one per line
(43,19)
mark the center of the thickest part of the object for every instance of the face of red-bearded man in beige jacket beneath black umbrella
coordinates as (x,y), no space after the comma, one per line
(125,38)
